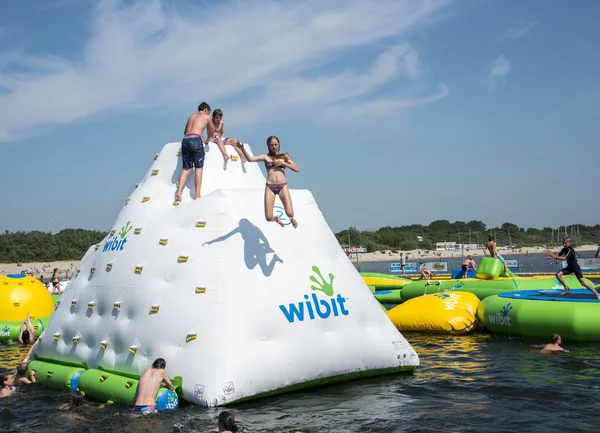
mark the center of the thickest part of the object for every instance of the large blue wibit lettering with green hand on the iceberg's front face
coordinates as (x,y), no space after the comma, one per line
(312,306)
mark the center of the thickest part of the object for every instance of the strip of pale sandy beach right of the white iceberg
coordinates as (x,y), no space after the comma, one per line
(414,255)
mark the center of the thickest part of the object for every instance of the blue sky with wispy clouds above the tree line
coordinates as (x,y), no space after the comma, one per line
(397,112)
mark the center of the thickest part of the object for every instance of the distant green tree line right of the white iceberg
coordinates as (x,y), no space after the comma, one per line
(405,238)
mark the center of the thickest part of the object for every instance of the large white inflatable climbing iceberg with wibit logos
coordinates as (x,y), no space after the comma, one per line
(238,307)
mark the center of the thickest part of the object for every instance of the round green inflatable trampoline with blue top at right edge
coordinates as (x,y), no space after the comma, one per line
(541,313)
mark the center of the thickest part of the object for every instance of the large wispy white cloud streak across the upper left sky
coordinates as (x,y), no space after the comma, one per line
(149,54)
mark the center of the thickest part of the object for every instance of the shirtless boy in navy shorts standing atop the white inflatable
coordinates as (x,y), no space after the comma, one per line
(192,147)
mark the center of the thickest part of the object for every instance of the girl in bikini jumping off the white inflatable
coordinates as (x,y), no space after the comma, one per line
(275,163)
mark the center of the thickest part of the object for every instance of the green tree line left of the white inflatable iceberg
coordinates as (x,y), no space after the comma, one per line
(36,246)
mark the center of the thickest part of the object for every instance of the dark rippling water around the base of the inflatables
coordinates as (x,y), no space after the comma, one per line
(471,383)
